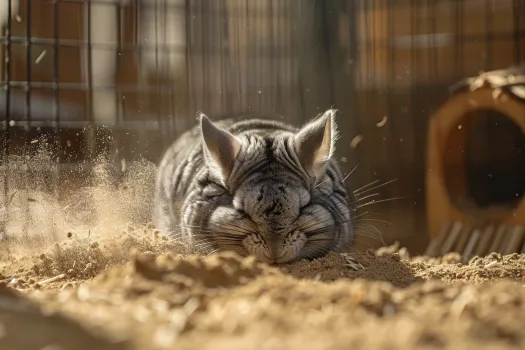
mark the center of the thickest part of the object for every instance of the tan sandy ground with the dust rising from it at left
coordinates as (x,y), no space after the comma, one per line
(104,281)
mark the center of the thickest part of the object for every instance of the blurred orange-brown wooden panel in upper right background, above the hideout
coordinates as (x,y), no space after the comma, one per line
(425,42)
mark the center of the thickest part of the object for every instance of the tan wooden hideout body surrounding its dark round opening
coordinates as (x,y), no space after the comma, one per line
(461,225)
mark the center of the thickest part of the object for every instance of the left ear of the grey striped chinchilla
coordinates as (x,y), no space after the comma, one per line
(221,148)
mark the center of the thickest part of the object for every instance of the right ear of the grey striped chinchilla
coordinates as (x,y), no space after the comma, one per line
(315,143)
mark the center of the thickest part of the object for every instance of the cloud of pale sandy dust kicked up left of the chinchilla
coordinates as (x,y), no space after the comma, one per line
(83,220)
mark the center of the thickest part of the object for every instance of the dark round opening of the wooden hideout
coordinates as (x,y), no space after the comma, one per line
(491,167)
